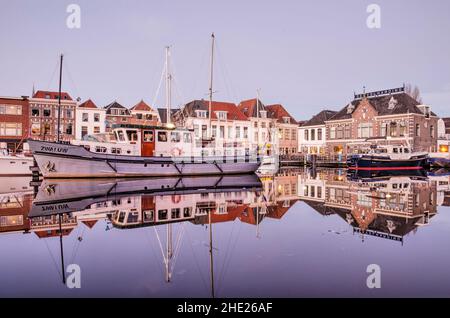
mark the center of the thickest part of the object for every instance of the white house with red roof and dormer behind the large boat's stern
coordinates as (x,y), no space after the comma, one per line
(229,127)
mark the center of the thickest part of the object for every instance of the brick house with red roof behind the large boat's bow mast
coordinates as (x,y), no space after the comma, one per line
(44,116)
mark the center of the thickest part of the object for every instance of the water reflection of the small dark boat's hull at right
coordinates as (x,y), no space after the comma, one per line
(374,175)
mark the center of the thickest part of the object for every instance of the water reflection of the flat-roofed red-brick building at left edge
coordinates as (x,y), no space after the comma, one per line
(14,208)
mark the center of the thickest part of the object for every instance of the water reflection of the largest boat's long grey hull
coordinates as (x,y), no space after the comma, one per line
(64,196)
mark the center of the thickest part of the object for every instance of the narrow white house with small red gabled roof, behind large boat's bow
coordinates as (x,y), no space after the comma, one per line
(89,119)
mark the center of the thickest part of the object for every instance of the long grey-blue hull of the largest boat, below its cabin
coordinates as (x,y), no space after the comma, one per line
(69,161)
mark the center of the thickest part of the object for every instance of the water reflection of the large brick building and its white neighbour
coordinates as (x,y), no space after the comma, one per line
(386,204)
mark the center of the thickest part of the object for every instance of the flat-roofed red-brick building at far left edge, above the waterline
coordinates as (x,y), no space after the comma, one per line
(14,122)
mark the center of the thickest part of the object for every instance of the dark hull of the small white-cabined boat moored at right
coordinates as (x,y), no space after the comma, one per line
(370,162)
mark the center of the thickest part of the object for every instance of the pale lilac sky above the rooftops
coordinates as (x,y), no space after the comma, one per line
(306,55)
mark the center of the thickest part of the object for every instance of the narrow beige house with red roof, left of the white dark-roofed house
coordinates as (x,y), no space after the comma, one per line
(287,128)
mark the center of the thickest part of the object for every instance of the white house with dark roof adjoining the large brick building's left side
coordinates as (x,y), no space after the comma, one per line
(312,134)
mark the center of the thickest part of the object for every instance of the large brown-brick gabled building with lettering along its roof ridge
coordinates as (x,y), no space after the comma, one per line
(381,118)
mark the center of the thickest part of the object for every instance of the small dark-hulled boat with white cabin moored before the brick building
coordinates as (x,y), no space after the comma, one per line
(388,158)
